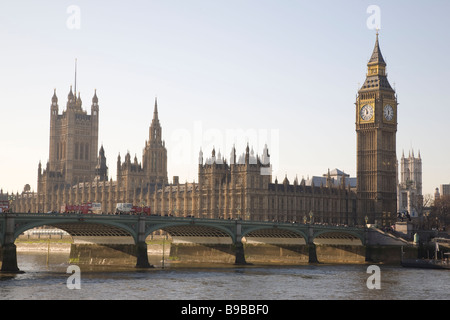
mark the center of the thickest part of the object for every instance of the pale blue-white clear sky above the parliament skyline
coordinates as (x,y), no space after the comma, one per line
(282,72)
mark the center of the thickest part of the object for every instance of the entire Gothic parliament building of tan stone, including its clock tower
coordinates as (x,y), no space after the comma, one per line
(240,187)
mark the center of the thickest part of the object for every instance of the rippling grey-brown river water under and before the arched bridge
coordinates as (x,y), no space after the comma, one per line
(45,277)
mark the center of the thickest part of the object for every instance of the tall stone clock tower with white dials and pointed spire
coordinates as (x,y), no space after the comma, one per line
(376,127)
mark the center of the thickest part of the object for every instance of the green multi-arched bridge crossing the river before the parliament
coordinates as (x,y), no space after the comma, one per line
(207,239)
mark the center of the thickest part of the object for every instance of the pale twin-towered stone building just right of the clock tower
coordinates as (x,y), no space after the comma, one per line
(409,191)
